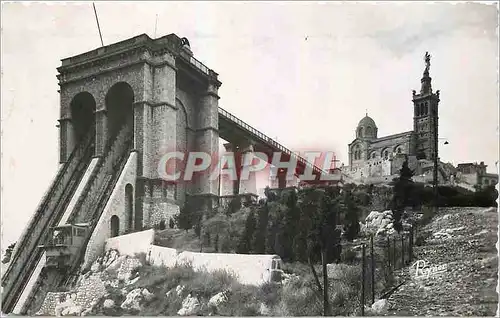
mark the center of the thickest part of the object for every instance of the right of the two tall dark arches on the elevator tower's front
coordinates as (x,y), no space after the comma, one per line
(119,106)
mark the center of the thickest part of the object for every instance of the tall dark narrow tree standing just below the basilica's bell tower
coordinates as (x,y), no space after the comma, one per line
(403,187)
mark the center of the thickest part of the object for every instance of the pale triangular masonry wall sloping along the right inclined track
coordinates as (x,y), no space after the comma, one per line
(115,206)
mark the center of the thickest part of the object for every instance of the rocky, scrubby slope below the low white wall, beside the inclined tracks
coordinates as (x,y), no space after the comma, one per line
(123,285)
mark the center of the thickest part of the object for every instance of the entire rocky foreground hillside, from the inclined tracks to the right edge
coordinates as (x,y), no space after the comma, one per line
(462,239)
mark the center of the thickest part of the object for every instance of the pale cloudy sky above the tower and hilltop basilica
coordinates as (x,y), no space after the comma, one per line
(302,73)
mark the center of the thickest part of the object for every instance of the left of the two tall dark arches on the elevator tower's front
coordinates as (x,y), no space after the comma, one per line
(82,108)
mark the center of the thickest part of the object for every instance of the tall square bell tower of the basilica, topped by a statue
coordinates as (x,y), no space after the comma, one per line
(425,115)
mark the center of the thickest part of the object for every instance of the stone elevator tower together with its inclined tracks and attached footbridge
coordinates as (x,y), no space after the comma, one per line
(123,107)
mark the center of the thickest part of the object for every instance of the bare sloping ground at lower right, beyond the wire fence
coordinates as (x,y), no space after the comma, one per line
(468,286)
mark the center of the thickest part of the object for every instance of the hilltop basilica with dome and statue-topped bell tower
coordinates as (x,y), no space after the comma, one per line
(371,156)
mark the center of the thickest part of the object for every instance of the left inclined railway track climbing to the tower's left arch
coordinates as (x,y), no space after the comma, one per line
(52,207)
